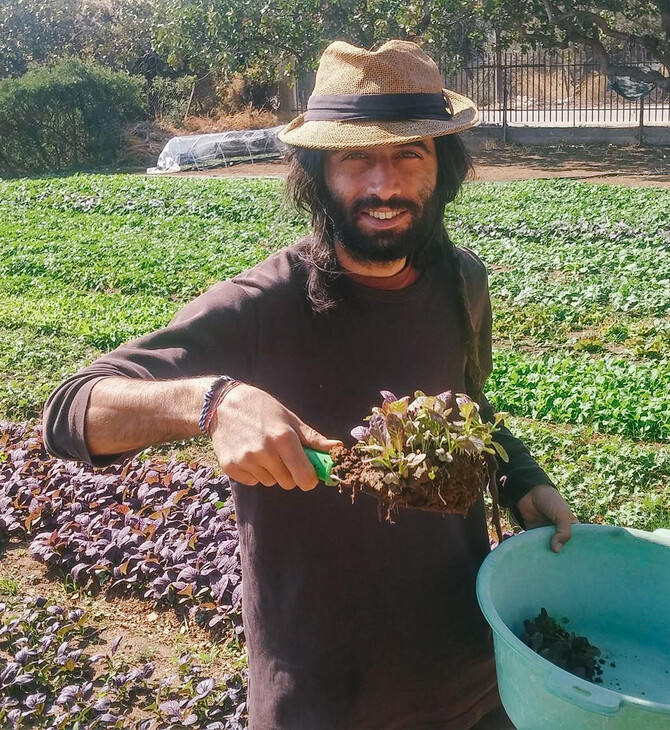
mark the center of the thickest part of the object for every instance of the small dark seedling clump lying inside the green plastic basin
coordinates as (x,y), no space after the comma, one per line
(575,654)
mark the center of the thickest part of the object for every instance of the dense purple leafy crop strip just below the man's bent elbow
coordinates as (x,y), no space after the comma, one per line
(146,526)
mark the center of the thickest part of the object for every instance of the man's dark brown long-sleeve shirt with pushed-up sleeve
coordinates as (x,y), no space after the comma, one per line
(351,623)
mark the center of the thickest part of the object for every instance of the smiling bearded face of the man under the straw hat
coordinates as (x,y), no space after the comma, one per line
(382,199)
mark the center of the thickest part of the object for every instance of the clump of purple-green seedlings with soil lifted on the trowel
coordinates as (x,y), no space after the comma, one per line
(431,453)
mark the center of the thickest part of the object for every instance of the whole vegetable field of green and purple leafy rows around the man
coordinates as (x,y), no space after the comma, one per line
(580,283)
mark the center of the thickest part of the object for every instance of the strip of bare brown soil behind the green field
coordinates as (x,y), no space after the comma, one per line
(634,166)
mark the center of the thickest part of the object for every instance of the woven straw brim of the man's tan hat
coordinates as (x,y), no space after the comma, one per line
(335,135)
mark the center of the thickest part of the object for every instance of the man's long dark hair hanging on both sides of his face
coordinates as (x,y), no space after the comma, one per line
(306,190)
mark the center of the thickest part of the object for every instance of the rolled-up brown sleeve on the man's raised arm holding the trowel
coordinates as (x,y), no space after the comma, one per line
(212,335)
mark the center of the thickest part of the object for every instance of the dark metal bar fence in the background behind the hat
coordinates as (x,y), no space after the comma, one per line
(545,88)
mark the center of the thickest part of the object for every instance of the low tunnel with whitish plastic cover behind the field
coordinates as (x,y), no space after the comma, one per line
(220,148)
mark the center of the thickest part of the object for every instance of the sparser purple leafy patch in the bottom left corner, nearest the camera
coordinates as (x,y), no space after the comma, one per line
(64,687)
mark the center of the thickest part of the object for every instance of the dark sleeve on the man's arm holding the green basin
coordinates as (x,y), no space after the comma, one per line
(521,473)
